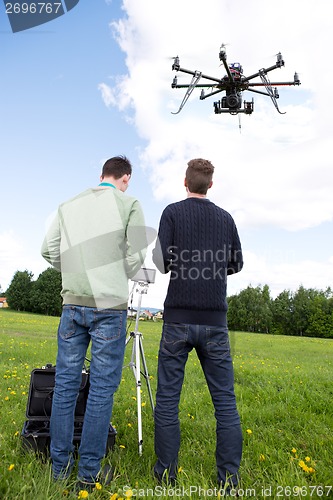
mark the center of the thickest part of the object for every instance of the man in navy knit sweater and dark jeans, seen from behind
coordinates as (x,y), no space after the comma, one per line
(198,244)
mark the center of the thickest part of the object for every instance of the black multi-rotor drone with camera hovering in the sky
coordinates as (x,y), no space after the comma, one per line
(233,84)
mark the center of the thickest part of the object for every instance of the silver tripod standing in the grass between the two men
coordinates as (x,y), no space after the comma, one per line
(137,357)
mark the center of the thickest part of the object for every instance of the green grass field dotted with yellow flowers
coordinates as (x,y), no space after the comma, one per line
(284,391)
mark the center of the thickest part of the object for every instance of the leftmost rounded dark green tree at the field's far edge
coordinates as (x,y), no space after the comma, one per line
(19,291)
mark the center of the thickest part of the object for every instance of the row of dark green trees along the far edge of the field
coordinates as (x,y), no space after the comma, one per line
(307,312)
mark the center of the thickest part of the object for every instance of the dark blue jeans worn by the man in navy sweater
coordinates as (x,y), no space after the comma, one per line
(212,346)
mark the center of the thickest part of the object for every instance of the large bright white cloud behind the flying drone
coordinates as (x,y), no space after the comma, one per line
(268,172)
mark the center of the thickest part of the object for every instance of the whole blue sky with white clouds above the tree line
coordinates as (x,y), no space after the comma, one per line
(96,82)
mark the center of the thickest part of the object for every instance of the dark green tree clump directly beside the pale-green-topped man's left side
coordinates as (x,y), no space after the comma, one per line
(45,295)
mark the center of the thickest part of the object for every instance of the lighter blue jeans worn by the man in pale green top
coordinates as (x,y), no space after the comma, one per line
(106,329)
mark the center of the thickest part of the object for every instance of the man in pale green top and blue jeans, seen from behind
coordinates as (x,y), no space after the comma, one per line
(98,241)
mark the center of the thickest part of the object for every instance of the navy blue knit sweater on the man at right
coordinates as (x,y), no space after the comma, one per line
(198,244)
